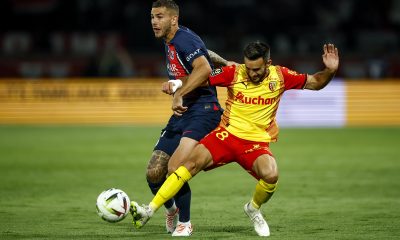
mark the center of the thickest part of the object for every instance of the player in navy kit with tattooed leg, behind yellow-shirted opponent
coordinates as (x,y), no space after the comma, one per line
(196,109)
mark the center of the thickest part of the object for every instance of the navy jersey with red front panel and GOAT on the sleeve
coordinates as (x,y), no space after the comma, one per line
(180,52)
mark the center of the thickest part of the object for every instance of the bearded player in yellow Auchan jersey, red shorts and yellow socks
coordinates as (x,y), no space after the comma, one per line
(247,127)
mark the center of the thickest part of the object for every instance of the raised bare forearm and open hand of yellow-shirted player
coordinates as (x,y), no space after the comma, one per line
(320,79)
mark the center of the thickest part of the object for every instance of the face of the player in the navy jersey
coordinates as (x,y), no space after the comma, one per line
(162,21)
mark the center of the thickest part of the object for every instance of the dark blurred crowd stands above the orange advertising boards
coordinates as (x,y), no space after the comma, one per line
(113,38)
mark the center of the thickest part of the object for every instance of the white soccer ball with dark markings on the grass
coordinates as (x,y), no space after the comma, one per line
(113,205)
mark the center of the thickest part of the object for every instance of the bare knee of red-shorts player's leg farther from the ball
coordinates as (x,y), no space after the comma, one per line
(266,168)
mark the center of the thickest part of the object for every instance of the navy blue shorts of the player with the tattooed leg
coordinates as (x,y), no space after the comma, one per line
(199,120)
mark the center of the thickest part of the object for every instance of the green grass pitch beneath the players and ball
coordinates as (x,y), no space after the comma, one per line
(341,183)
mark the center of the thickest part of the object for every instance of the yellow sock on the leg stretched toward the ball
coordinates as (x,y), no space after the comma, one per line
(170,187)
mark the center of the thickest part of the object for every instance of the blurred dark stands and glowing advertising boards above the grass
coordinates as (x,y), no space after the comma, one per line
(44,44)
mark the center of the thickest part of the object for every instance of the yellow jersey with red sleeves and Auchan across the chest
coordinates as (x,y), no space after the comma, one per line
(251,109)
